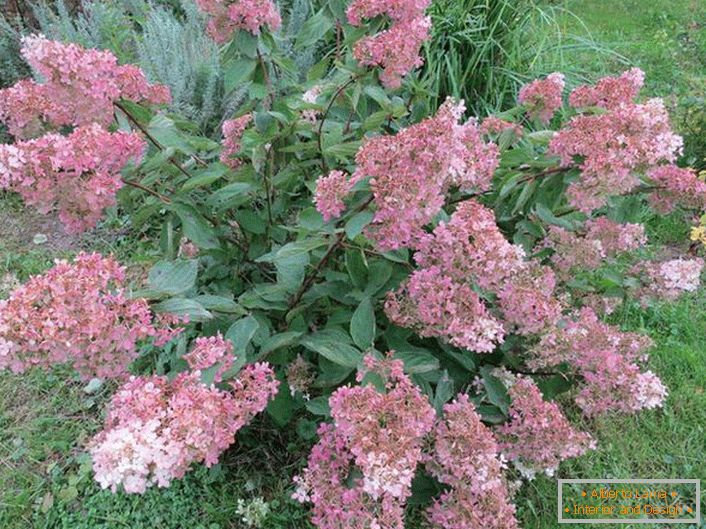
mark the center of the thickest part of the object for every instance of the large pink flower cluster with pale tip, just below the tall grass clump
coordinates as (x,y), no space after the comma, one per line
(411,172)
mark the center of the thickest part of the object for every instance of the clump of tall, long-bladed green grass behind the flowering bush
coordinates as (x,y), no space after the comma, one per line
(483,50)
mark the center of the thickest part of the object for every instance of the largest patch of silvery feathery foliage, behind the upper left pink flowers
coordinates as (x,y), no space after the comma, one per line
(168,42)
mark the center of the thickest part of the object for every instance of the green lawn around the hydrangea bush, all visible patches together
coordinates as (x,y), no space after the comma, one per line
(45,419)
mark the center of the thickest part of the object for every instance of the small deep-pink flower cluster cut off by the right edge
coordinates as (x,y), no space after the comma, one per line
(676,187)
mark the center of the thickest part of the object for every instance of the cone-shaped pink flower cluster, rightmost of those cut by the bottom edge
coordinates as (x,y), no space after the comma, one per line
(465,456)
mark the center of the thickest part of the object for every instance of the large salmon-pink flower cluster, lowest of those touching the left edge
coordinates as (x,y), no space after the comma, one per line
(79,313)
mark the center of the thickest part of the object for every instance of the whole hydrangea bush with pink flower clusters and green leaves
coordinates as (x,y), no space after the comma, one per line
(425,283)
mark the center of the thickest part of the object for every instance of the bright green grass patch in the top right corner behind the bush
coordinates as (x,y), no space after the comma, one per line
(666,39)
